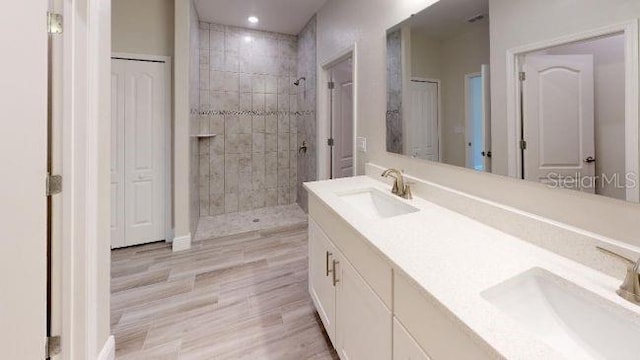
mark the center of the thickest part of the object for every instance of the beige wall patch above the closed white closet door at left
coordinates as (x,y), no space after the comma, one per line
(143,26)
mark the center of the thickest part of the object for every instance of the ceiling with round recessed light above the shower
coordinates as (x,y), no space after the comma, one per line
(283,16)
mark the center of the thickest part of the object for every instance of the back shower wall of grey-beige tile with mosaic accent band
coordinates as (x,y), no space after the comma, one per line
(248,99)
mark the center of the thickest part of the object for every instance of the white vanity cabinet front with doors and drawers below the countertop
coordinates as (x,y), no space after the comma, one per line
(370,310)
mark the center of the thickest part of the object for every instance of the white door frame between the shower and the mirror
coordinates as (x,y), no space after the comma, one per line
(324,110)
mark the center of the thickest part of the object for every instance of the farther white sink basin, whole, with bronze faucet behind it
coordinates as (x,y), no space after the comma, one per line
(376,204)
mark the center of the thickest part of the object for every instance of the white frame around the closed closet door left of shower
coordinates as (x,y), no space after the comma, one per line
(167,144)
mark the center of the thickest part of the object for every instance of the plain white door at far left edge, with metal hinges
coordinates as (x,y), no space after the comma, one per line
(23,155)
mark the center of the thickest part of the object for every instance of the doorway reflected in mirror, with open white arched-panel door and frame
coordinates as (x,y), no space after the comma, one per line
(573,112)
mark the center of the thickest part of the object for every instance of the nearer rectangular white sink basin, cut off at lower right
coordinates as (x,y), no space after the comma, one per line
(572,320)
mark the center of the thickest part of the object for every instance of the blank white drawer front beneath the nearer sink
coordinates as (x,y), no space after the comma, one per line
(432,329)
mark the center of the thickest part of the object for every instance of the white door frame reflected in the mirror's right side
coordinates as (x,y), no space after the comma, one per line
(629,30)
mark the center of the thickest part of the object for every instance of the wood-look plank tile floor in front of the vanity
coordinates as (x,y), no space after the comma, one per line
(238,297)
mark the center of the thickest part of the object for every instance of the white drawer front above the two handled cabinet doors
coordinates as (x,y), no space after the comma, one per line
(369,264)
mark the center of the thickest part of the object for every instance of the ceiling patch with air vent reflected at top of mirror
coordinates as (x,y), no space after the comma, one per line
(448,18)
